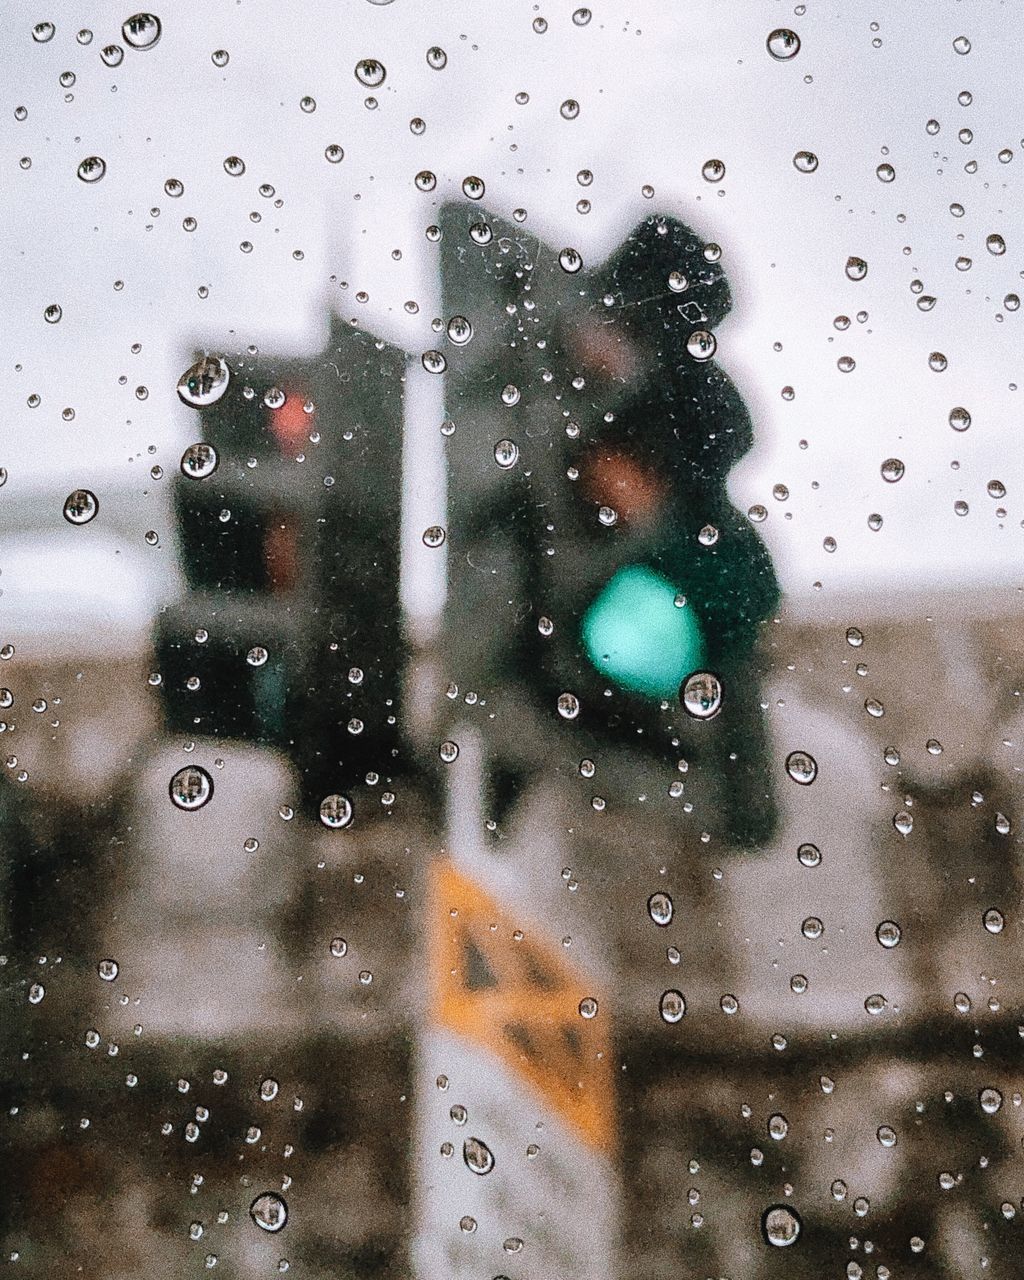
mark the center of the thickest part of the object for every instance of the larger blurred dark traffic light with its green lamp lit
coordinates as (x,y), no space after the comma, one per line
(605,564)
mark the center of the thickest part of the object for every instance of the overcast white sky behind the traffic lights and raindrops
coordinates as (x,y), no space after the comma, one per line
(664,86)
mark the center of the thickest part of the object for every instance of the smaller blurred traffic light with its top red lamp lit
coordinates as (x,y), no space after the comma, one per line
(287,518)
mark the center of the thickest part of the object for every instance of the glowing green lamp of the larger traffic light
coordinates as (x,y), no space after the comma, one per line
(639,638)
